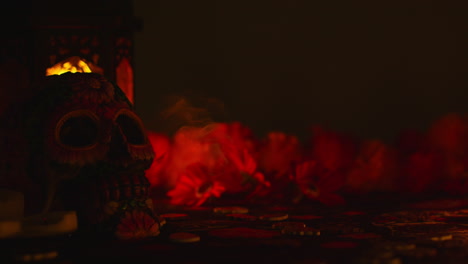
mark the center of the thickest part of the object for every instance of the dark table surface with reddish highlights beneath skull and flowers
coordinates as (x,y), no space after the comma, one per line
(433,231)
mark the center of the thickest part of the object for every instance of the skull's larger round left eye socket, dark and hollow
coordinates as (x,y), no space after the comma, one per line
(78,129)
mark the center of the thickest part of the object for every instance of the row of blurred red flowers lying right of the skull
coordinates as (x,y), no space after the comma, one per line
(201,165)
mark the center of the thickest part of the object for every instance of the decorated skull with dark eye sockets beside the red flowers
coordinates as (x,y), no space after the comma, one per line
(86,150)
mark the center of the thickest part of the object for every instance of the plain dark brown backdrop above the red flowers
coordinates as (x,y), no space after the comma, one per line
(367,68)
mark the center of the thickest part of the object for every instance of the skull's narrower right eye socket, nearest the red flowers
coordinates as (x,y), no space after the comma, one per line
(131,127)
